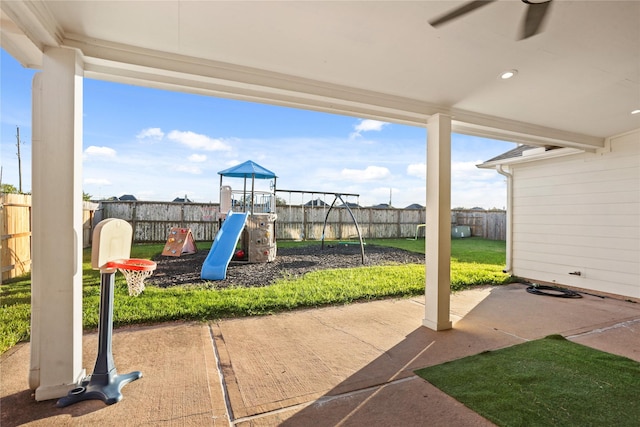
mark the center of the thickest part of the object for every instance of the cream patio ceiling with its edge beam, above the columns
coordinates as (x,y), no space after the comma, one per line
(577,81)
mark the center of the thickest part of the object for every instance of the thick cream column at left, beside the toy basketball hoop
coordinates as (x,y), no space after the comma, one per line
(56,276)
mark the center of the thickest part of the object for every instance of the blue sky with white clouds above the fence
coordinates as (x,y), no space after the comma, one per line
(159,145)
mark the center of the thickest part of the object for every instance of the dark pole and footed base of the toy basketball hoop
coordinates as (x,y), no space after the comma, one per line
(105,383)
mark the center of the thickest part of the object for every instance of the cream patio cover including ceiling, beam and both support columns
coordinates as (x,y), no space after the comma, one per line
(576,83)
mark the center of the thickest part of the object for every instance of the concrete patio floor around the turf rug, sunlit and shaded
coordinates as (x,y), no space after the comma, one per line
(348,365)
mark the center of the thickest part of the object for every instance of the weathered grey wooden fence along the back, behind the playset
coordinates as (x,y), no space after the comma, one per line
(152,221)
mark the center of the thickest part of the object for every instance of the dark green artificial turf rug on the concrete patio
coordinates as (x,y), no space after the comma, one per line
(547,382)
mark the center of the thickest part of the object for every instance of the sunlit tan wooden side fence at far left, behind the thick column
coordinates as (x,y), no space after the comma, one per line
(15,233)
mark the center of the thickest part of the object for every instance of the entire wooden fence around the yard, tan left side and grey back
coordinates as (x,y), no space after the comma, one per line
(152,221)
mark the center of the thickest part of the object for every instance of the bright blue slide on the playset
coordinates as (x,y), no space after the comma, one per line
(224,245)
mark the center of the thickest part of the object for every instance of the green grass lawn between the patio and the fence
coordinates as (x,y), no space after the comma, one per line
(474,262)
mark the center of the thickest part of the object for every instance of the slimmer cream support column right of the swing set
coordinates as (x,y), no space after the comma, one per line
(438,228)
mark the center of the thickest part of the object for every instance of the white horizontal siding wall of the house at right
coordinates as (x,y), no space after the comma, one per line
(580,213)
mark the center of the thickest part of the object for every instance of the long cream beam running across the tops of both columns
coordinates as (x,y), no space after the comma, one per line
(106,61)
